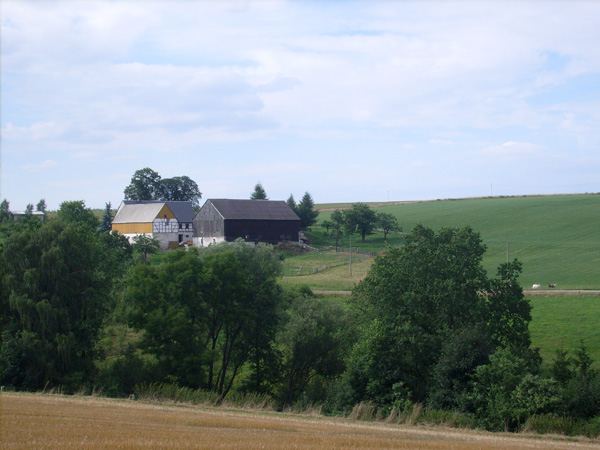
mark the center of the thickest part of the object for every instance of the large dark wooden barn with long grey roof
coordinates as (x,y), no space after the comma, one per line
(252,220)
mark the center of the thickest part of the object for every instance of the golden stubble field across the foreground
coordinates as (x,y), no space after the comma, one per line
(33,421)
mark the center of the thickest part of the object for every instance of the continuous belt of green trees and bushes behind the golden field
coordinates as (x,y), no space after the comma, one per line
(427,326)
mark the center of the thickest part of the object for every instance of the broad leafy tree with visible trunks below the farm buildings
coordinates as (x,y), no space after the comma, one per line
(214,310)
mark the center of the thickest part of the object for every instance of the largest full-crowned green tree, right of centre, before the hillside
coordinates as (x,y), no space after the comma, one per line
(416,298)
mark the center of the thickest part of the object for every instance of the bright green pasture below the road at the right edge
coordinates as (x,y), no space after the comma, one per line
(563,322)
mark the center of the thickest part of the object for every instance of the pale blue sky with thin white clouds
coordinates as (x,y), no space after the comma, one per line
(350,101)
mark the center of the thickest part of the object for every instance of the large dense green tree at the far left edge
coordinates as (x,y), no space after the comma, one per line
(53,302)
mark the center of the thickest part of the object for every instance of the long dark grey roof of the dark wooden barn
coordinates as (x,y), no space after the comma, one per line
(253,209)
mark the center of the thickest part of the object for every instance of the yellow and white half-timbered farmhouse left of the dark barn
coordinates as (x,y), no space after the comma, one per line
(171,223)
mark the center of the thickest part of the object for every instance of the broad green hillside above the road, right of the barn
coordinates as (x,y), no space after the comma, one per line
(557,238)
